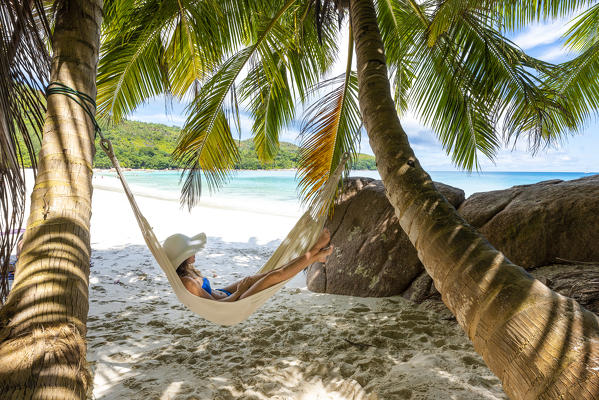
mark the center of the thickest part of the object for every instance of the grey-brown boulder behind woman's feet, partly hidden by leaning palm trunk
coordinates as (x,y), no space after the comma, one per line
(373,256)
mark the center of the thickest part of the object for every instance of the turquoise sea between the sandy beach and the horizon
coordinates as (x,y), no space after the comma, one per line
(276,191)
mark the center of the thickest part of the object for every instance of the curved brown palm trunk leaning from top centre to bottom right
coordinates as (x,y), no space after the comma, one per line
(539,343)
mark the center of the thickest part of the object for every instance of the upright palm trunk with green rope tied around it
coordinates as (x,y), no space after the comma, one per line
(43,323)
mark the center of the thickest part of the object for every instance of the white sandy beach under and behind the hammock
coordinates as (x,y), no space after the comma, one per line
(144,345)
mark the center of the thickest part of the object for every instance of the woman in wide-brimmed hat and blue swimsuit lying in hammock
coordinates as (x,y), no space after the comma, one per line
(181,251)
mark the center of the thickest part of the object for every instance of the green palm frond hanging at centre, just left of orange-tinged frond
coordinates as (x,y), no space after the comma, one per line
(285,70)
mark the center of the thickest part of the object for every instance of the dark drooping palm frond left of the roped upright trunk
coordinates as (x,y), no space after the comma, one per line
(24,73)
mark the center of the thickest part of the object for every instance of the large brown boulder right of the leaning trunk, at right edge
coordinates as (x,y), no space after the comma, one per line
(539,224)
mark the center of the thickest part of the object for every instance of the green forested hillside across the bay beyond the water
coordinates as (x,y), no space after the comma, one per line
(142,145)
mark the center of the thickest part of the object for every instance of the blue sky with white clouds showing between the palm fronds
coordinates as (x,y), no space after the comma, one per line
(542,40)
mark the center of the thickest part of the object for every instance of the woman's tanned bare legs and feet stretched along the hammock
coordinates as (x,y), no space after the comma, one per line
(317,253)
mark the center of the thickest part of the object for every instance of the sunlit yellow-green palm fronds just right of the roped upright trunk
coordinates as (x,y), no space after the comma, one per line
(156,47)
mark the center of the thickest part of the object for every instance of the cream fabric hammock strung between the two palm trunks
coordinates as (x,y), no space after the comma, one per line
(301,238)
